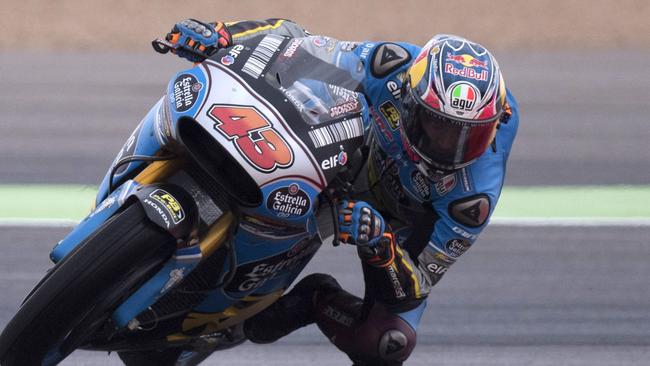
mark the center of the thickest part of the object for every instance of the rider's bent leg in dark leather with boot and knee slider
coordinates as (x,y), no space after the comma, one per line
(368,334)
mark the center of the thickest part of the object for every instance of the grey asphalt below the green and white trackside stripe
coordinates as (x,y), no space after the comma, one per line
(522,296)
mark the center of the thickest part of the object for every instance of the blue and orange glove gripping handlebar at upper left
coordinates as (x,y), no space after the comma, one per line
(195,40)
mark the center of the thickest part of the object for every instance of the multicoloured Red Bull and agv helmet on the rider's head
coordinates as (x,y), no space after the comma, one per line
(453,98)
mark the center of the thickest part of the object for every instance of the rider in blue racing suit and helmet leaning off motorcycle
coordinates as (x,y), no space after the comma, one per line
(443,124)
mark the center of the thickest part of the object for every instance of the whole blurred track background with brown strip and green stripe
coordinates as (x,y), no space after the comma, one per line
(77,76)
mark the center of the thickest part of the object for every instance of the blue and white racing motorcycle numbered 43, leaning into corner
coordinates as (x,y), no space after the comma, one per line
(209,211)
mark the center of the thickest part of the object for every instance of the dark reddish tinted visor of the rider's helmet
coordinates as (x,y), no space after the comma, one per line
(441,141)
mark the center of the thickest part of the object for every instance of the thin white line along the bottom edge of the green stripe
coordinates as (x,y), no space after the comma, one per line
(496,221)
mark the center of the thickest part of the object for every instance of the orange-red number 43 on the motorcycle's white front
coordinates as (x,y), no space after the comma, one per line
(253,136)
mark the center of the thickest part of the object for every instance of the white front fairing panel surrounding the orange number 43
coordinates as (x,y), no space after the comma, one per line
(226,89)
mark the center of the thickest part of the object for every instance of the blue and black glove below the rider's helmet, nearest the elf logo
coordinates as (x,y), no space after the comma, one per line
(359,223)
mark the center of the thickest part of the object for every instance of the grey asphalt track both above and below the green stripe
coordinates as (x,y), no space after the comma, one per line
(522,296)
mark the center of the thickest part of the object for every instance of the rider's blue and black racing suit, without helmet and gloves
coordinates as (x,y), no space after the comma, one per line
(433,223)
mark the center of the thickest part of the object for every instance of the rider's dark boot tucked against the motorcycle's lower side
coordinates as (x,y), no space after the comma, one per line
(292,311)
